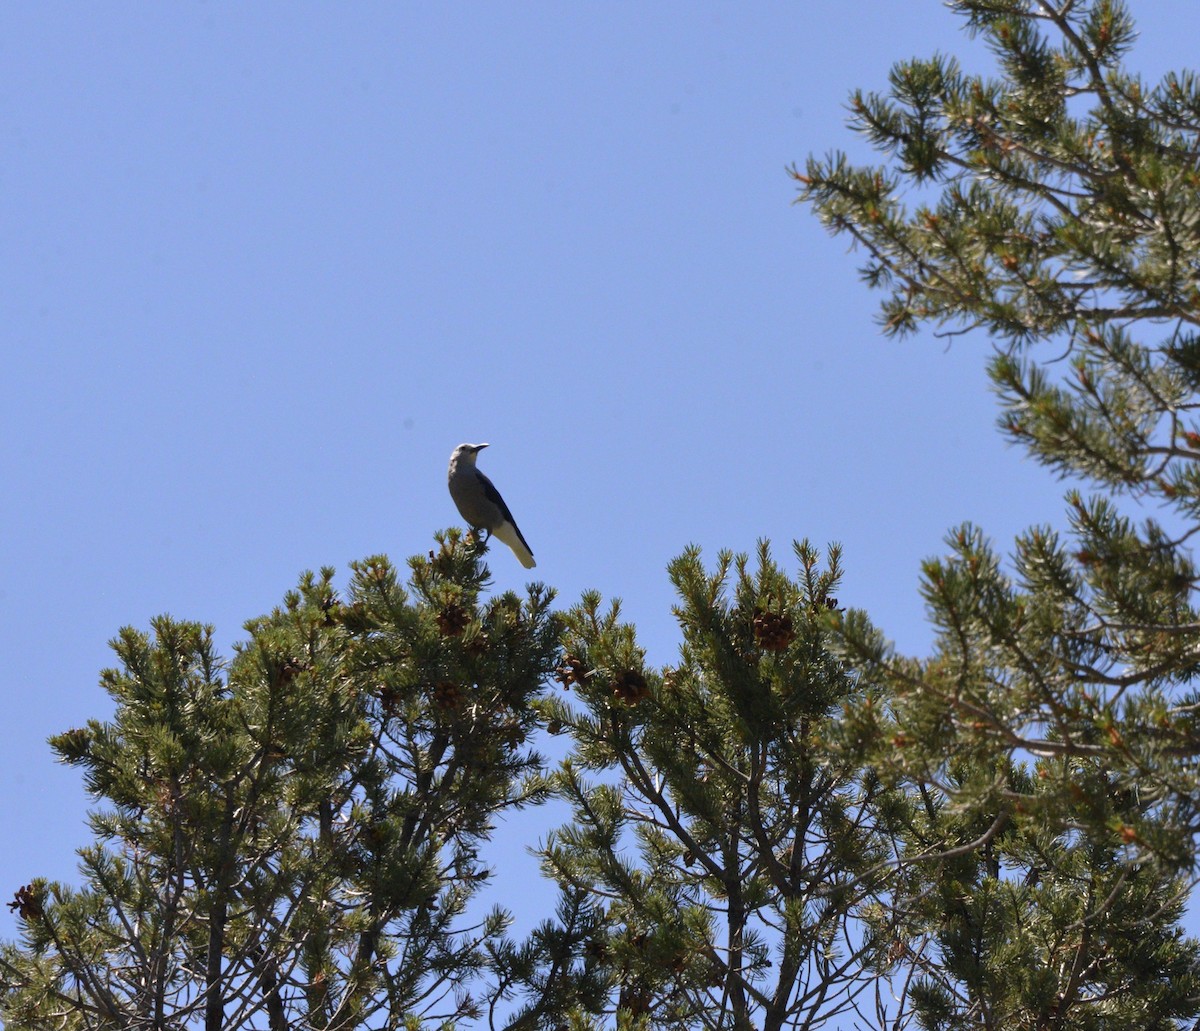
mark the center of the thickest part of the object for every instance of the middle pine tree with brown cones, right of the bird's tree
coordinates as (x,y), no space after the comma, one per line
(735,868)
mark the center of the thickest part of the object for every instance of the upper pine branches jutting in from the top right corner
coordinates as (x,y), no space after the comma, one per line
(1058,205)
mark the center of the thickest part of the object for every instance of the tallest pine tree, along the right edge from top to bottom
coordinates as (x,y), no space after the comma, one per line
(1055,209)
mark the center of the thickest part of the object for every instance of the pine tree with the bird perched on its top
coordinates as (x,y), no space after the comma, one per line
(291,838)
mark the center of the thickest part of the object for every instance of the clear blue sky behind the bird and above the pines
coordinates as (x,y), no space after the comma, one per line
(266,266)
